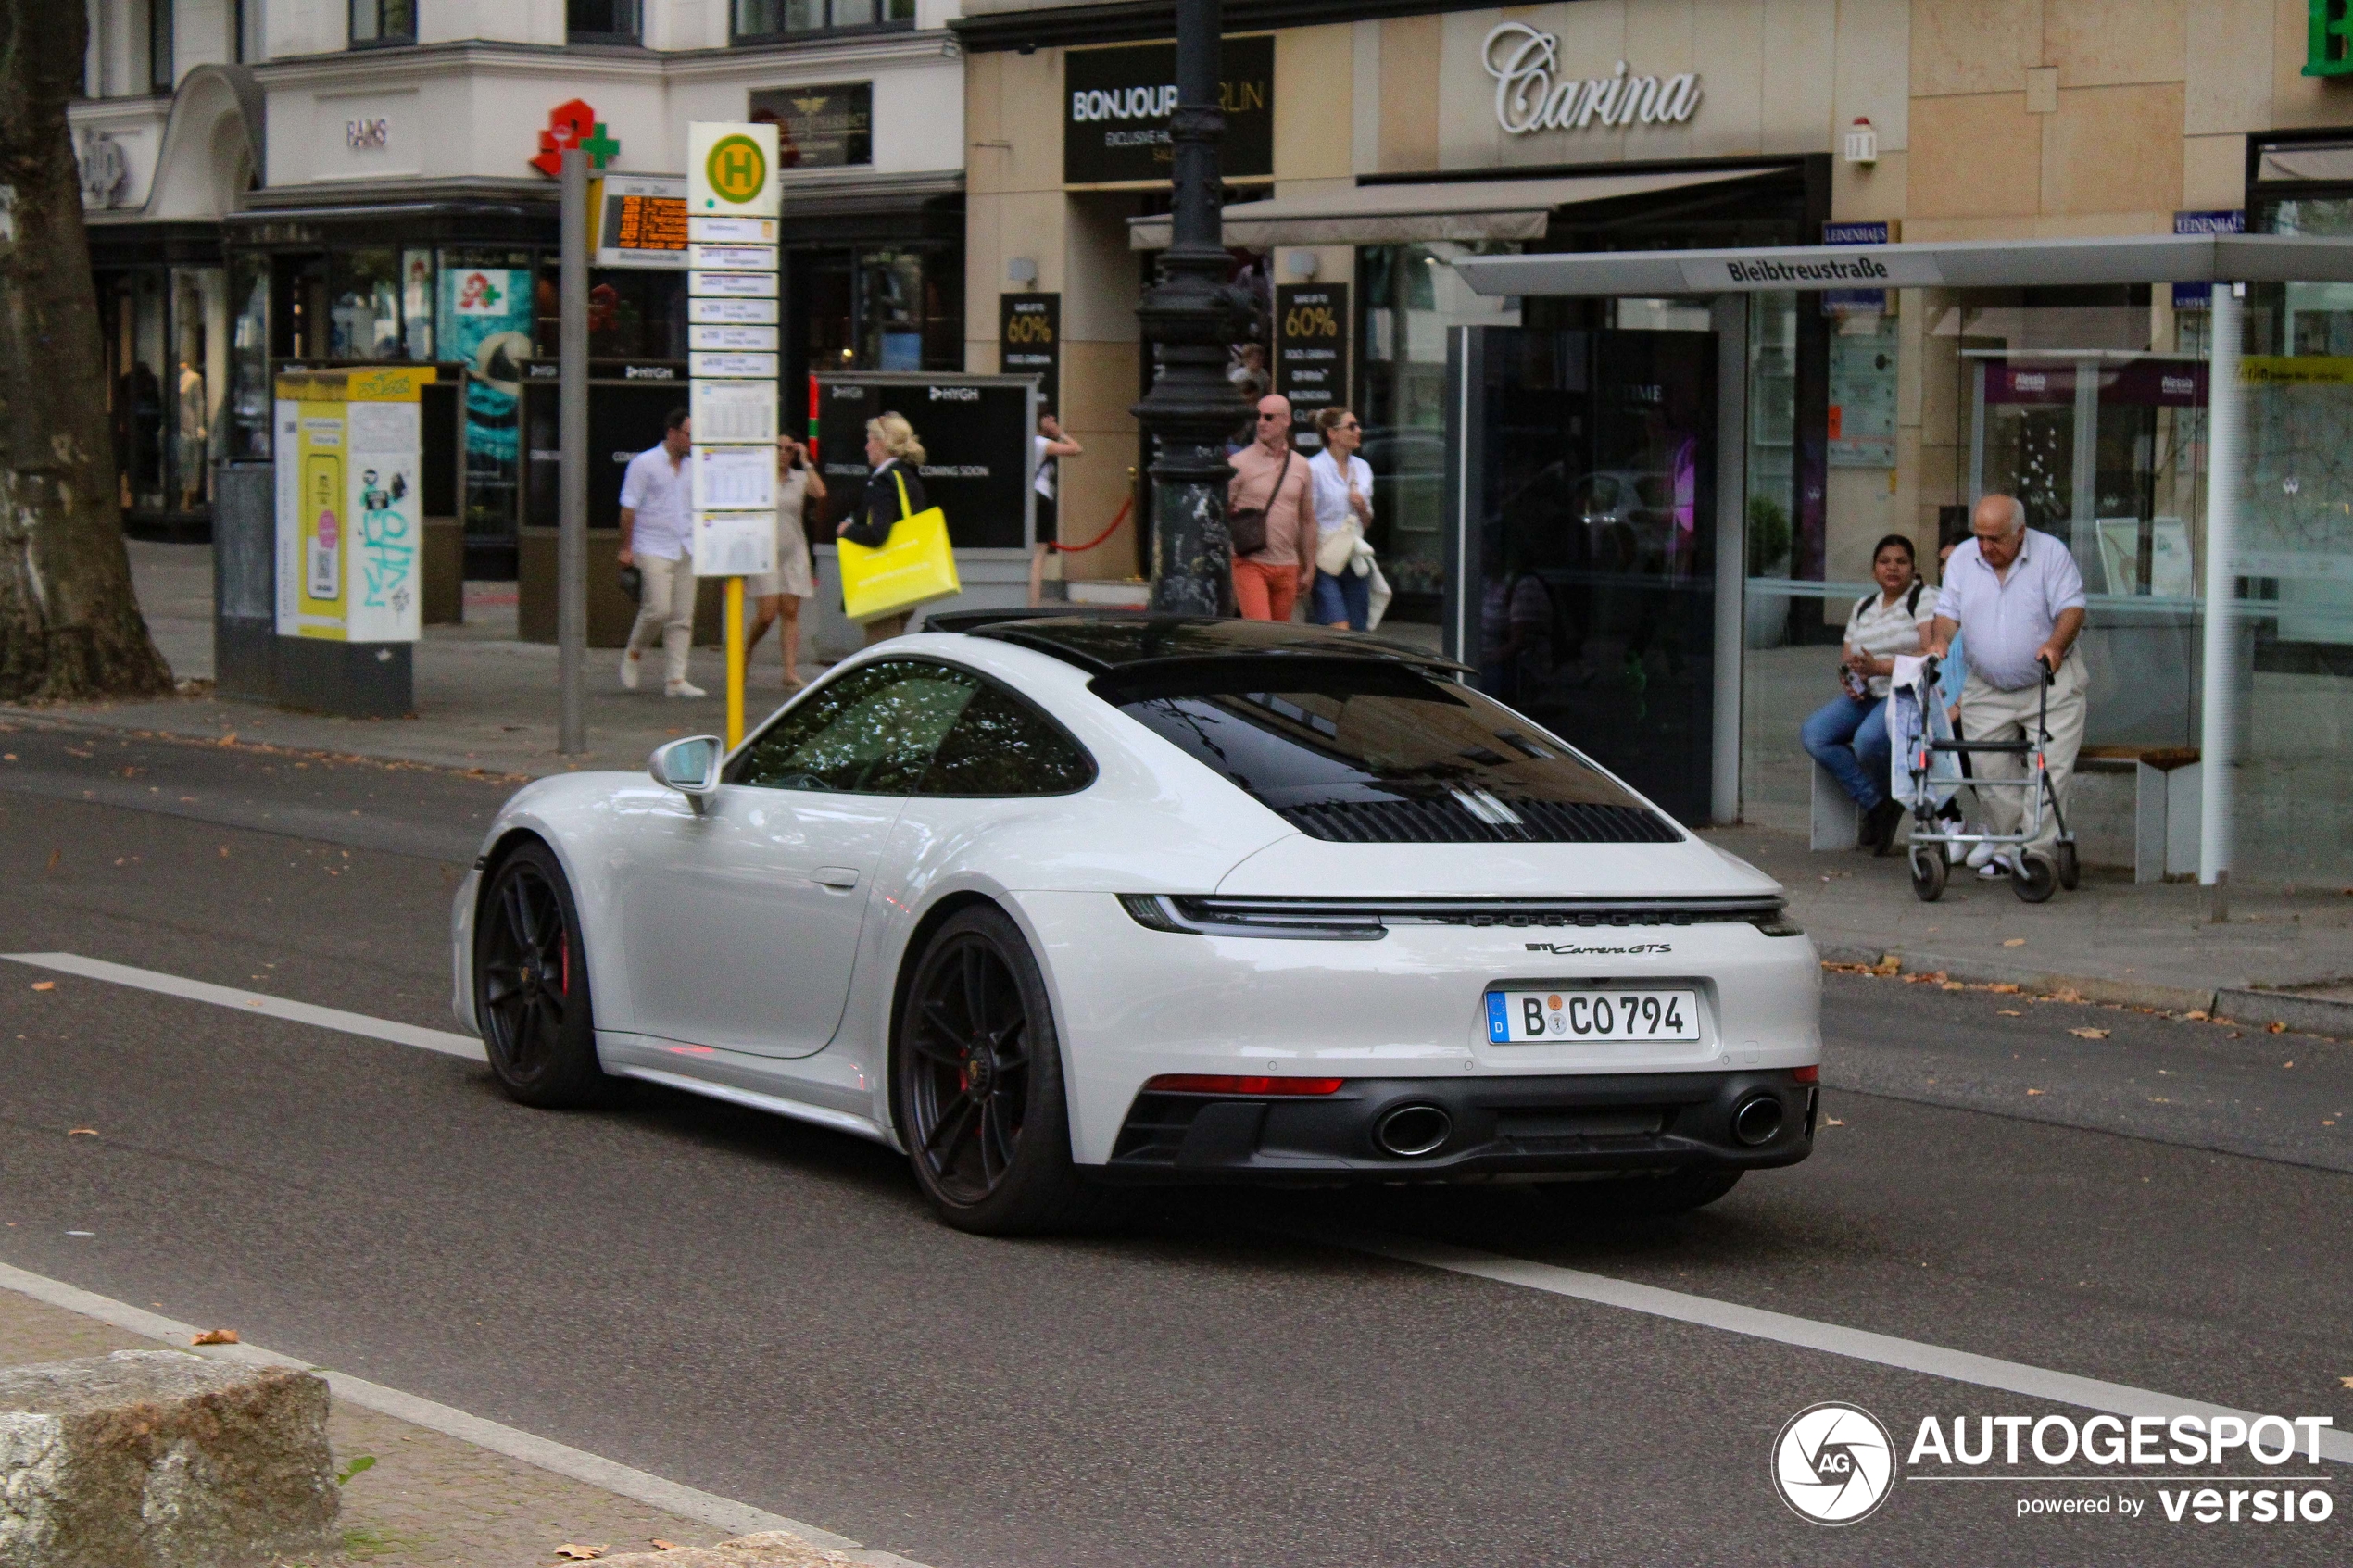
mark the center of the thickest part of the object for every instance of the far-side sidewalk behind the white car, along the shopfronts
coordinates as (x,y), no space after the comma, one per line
(488,704)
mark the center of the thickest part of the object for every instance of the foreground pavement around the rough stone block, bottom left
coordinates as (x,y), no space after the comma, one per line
(434,1501)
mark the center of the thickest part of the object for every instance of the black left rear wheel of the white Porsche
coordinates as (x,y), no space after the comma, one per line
(978,1085)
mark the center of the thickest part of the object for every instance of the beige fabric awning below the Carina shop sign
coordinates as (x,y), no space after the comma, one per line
(1427,210)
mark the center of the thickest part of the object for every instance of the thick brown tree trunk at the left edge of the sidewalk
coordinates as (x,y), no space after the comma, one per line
(69,619)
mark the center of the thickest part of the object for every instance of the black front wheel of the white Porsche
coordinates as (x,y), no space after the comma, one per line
(531,984)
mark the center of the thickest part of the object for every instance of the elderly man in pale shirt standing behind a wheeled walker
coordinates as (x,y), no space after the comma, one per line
(2015,596)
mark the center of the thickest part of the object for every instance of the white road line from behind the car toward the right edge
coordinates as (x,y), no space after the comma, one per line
(1832,1339)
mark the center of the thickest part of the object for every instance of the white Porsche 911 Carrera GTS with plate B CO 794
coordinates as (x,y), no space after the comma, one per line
(1060,904)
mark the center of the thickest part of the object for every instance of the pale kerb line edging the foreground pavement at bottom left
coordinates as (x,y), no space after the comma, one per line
(684,1501)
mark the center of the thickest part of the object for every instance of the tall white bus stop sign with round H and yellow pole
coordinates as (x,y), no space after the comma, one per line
(733,366)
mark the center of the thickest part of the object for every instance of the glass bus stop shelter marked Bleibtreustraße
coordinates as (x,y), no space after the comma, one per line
(1665,481)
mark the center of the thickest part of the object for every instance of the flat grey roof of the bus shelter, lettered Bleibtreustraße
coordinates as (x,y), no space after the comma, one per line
(1959,264)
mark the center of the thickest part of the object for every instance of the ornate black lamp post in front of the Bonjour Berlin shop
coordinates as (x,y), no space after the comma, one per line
(1189,323)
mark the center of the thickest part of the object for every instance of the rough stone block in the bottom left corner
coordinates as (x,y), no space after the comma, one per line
(152,1459)
